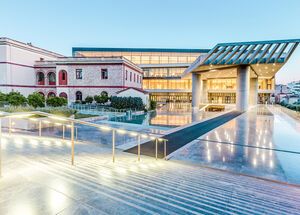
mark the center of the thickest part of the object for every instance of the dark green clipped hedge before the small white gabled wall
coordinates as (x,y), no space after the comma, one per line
(127,103)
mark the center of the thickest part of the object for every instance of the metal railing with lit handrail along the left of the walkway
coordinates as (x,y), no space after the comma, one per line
(66,122)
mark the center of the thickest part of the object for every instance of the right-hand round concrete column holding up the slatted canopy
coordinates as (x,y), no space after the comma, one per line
(242,90)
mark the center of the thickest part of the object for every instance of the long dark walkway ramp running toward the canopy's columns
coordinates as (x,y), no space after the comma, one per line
(180,138)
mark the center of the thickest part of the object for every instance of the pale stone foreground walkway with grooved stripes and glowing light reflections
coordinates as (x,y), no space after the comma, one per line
(38,179)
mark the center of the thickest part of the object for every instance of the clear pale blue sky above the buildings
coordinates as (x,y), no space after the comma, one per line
(58,25)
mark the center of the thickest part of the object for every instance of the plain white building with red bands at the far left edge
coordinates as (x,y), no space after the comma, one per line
(17,59)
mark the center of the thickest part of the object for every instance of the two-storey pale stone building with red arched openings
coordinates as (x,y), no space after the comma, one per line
(76,78)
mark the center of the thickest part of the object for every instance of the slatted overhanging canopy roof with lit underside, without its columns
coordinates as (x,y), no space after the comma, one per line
(257,54)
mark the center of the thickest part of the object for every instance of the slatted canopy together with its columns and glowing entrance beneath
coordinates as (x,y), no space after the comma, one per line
(243,72)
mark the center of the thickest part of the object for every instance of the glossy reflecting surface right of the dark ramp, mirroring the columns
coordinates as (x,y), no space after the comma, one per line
(263,142)
